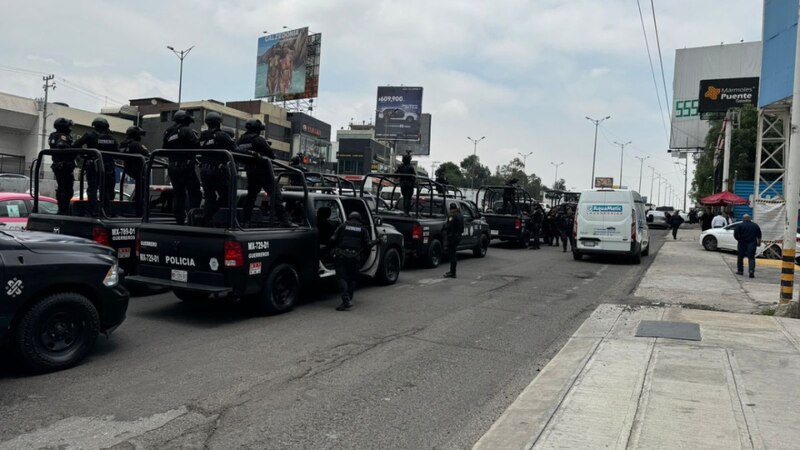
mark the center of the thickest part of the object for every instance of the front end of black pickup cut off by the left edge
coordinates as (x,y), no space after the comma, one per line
(58,293)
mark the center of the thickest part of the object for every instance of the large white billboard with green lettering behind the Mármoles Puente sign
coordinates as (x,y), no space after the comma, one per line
(692,65)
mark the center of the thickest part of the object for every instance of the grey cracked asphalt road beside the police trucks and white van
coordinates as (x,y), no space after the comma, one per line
(426,363)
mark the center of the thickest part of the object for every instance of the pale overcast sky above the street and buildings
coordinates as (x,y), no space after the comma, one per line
(522,73)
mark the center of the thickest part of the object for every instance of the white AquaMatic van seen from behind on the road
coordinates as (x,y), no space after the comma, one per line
(611,221)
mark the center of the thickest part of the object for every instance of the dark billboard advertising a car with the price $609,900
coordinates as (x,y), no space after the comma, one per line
(397,114)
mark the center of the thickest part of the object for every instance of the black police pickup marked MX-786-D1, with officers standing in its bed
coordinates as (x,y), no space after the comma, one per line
(115,228)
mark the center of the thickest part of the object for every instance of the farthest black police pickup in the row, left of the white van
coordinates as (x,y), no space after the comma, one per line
(506,210)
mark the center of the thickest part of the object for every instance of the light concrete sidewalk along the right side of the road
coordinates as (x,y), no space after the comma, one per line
(735,388)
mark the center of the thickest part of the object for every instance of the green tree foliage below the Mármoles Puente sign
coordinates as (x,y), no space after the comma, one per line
(743,153)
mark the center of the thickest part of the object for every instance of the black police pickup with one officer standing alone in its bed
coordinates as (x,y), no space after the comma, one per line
(424,228)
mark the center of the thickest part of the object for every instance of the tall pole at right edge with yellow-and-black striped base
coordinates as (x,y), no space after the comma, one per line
(791,190)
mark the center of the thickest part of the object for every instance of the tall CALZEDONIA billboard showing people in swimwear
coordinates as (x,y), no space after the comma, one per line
(281,63)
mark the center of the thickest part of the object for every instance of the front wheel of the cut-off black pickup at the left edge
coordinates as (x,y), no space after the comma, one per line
(57,332)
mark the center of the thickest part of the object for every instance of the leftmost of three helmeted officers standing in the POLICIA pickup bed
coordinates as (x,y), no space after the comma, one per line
(181,169)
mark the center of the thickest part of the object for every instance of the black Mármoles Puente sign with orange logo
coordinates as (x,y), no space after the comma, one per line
(724,94)
